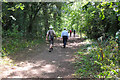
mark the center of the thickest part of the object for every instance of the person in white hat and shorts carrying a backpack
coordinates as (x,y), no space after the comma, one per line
(51,34)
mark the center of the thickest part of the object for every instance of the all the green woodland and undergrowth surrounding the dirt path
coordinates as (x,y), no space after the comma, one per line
(25,24)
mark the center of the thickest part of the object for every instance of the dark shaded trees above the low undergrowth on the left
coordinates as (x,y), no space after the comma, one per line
(32,19)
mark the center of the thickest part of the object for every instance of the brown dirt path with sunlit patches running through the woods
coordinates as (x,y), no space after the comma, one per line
(38,62)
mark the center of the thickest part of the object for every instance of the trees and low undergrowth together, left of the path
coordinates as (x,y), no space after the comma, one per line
(23,22)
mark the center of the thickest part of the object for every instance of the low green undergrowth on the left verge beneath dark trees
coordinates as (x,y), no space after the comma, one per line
(13,41)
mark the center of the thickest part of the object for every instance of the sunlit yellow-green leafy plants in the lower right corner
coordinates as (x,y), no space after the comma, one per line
(108,63)
